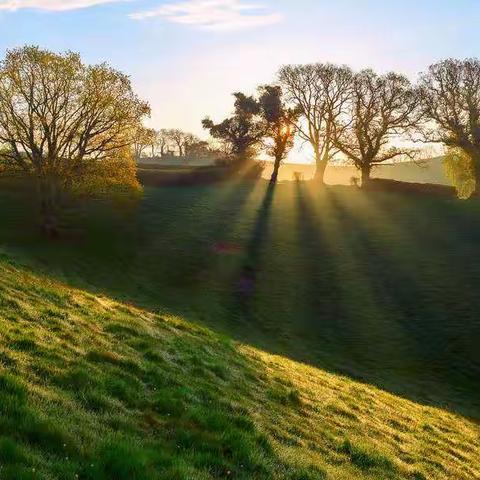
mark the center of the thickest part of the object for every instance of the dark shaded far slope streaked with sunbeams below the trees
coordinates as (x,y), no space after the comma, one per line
(379,286)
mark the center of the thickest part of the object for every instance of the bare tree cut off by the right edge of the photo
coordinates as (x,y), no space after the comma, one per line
(450,92)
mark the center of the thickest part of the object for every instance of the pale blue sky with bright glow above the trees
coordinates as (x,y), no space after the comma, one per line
(186,57)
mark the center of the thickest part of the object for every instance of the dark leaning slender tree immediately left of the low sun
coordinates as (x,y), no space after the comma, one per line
(280,124)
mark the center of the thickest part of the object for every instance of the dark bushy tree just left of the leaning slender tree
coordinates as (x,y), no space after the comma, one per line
(241,133)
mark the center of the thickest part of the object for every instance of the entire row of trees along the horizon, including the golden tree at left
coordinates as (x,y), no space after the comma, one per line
(79,128)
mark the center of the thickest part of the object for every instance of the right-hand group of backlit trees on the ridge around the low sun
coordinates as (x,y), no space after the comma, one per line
(362,117)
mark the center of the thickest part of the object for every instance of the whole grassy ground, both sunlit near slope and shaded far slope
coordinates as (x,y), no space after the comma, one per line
(165,342)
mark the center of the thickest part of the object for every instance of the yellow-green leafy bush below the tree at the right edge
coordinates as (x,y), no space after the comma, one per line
(460,169)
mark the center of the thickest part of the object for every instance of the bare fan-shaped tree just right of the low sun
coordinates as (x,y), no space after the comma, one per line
(320,92)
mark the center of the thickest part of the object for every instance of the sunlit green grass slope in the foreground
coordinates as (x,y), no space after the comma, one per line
(95,389)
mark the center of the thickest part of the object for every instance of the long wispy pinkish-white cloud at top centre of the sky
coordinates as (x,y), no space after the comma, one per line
(219,15)
